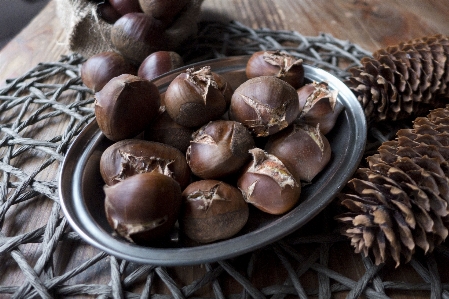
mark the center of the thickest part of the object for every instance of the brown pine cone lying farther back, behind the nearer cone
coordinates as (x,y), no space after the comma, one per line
(404,80)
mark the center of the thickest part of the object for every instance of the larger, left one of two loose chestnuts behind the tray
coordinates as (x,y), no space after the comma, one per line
(102,67)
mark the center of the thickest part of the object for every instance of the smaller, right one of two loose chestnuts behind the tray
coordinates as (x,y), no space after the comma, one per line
(159,63)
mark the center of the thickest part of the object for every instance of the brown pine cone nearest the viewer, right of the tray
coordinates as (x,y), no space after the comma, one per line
(401,200)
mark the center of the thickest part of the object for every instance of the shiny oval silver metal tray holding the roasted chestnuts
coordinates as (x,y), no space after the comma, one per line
(82,197)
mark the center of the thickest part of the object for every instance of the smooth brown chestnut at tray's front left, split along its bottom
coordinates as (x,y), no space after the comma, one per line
(143,208)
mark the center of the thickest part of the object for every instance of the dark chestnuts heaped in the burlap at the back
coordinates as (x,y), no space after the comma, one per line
(142,27)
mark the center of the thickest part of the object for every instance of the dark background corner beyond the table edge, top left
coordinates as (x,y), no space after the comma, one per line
(15,15)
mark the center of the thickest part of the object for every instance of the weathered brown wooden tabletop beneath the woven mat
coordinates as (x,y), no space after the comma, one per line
(371,24)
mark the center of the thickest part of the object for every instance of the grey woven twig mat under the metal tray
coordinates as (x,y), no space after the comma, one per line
(51,98)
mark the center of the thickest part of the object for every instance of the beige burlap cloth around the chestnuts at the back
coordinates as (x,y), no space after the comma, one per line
(88,34)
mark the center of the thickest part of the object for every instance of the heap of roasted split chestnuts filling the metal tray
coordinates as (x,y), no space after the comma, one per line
(199,155)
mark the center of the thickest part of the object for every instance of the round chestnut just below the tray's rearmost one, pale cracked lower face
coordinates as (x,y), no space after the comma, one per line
(265,105)
